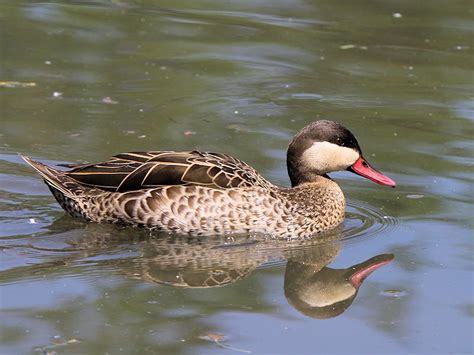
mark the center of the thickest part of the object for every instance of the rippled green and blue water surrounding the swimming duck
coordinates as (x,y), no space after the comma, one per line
(241,78)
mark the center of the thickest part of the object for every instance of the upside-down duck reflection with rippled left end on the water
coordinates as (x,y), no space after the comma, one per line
(310,286)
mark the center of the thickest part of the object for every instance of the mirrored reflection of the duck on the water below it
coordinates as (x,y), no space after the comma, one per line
(310,286)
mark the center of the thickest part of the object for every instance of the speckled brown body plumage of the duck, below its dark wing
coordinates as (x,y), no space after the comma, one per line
(204,210)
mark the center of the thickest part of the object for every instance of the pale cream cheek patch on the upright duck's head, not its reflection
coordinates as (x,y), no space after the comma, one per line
(324,157)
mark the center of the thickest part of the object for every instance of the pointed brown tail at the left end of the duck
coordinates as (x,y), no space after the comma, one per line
(54,178)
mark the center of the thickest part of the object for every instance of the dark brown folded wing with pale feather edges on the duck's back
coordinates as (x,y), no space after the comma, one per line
(143,170)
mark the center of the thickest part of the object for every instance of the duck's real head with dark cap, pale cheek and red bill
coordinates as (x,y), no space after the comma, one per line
(326,146)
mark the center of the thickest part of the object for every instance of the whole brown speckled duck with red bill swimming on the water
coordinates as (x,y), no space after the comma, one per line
(205,193)
